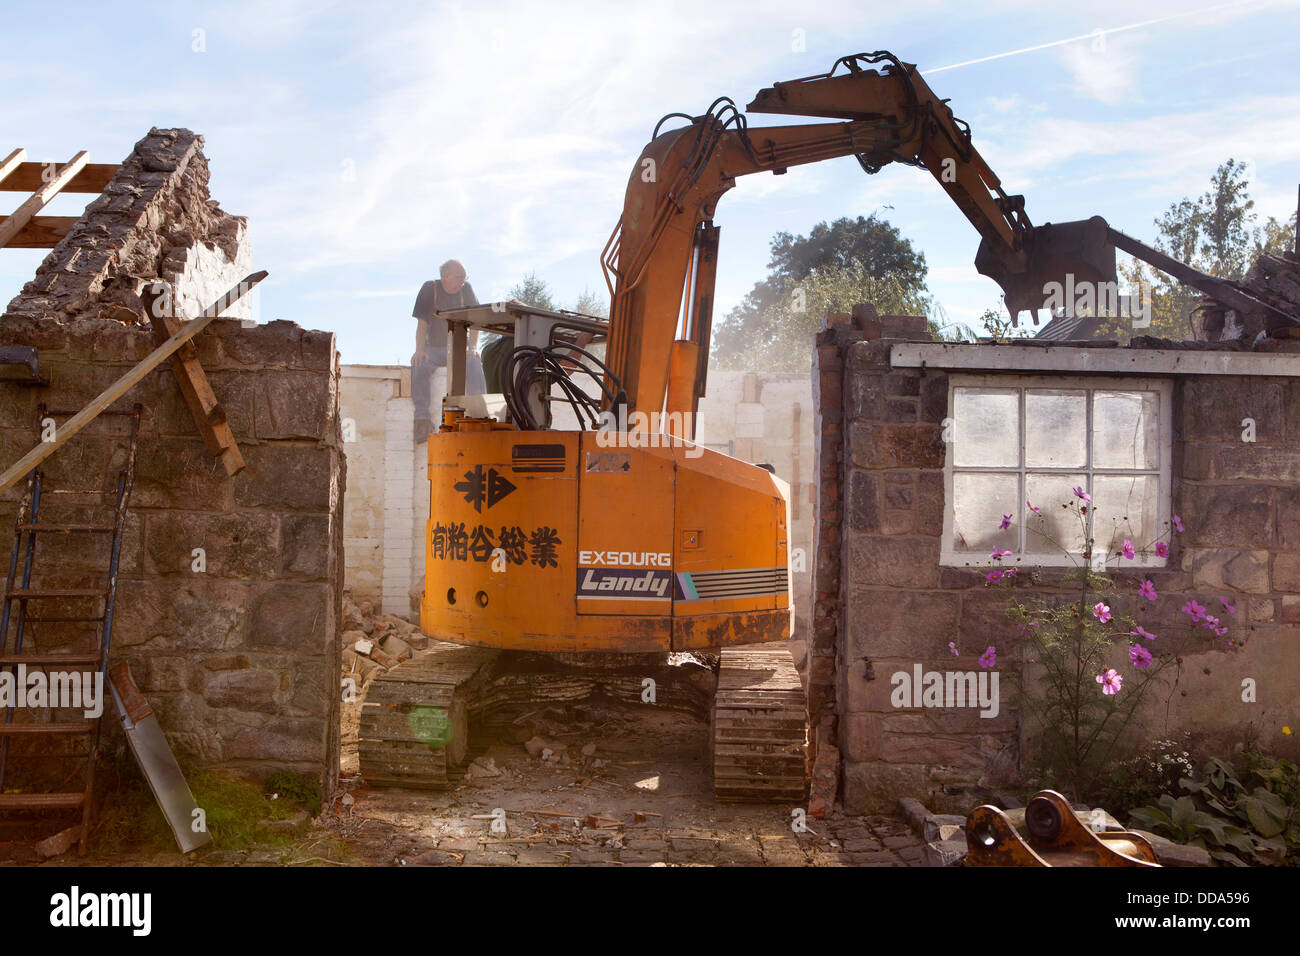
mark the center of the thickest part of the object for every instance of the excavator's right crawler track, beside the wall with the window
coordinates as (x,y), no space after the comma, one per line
(759,729)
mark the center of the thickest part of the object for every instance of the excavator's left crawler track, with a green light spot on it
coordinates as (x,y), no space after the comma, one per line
(415,720)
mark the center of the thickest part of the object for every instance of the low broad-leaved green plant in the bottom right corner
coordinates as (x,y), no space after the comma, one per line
(1240,824)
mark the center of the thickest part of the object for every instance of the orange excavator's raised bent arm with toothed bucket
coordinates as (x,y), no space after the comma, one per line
(661,261)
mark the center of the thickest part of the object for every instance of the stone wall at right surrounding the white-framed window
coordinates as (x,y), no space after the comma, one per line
(885,603)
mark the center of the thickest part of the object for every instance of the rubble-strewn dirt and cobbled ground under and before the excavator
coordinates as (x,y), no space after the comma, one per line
(639,797)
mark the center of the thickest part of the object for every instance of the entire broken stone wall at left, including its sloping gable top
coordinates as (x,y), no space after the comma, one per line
(229,590)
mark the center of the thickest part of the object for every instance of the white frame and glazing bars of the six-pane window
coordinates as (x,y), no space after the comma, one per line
(1165,439)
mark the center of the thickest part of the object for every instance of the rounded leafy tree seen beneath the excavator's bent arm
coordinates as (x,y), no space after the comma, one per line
(831,270)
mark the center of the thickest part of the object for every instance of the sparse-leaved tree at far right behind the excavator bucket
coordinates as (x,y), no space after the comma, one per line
(1212,233)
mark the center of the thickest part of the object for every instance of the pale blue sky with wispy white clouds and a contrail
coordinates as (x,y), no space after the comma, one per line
(369,142)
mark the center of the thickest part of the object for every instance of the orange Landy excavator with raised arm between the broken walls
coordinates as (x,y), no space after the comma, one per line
(614,534)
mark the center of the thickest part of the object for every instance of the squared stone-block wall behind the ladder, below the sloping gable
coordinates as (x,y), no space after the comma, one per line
(239,659)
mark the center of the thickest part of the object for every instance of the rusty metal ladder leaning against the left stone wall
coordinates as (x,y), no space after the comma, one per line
(18,629)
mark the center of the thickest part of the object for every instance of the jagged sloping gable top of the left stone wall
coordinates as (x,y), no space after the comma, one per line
(153,222)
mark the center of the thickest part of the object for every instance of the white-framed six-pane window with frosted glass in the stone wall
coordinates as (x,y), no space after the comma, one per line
(1035,439)
